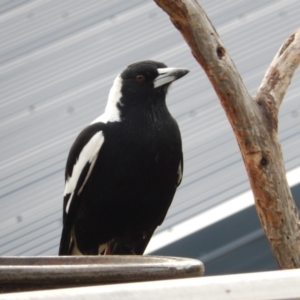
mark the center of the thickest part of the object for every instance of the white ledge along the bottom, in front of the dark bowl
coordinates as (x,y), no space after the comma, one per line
(254,286)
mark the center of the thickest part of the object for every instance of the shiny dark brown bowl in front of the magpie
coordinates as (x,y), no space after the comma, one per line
(46,272)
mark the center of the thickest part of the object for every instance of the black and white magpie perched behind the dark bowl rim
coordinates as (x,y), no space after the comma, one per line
(124,168)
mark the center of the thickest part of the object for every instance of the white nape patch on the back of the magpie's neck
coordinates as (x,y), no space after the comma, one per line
(112,112)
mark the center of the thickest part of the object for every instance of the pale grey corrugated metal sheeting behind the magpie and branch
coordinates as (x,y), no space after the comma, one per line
(57,62)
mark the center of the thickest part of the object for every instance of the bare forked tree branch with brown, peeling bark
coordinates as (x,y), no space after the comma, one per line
(254,121)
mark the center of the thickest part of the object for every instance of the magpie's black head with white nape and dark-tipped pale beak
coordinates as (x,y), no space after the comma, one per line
(140,85)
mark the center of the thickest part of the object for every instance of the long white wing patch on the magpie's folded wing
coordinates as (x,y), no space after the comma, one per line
(88,154)
